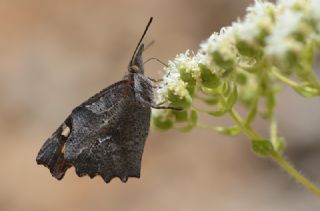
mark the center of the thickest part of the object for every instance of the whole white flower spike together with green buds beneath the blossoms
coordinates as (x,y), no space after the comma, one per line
(281,36)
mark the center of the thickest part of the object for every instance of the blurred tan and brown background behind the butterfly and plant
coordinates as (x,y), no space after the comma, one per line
(55,54)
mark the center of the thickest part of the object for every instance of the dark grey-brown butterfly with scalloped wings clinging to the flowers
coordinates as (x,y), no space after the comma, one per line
(106,134)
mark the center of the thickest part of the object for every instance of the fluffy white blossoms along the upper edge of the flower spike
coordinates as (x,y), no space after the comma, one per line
(273,29)
